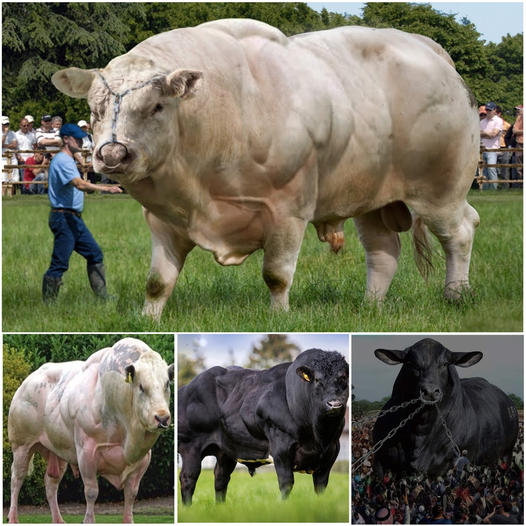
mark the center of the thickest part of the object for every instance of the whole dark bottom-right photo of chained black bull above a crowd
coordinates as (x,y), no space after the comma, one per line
(437,429)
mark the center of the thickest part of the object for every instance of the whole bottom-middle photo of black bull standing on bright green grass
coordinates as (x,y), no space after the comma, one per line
(263,416)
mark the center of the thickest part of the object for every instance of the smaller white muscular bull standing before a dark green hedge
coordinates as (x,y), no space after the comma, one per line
(101,417)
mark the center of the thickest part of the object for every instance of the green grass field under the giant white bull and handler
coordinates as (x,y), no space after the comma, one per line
(326,295)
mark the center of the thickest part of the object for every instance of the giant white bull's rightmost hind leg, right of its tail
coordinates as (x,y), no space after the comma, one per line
(455,229)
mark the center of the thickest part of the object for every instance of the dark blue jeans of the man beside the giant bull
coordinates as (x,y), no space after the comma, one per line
(70,234)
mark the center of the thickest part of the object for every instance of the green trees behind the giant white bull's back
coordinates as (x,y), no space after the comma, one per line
(41,38)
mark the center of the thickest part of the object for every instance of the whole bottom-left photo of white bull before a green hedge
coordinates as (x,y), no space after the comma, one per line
(100,404)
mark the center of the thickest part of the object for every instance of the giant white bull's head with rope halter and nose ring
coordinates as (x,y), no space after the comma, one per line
(133,112)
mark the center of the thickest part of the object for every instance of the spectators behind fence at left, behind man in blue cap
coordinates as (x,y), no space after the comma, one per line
(47,138)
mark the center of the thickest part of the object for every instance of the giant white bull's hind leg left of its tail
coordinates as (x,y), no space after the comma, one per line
(382,250)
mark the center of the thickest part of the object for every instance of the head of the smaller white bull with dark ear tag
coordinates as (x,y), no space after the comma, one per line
(150,379)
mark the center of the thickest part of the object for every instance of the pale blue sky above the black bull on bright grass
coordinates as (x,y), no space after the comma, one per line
(216,347)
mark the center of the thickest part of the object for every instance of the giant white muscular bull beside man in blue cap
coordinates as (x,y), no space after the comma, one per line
(234,137)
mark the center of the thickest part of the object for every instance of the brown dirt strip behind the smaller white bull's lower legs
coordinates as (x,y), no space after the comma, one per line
(161,505)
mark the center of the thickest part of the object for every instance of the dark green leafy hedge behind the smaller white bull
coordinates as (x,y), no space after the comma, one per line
(24,353)
